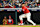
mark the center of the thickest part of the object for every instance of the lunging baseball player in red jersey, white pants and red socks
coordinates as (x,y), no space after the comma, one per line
(26,14)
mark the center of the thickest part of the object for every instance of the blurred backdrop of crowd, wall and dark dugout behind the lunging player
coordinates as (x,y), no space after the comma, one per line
(33,5)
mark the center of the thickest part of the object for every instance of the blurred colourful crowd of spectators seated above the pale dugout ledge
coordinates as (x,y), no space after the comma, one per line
(17,3)
